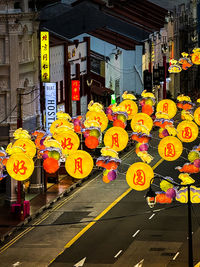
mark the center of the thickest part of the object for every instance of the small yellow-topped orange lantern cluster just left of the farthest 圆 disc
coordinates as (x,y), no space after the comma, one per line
(147,102)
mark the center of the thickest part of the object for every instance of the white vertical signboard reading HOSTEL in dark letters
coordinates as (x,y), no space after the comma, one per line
(50,104)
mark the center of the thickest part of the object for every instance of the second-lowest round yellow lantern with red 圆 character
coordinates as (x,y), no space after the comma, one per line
(170,148)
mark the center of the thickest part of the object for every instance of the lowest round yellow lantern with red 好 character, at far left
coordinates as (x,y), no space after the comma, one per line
(19,166)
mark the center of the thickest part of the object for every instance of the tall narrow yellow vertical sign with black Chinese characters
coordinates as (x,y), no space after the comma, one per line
(44,48)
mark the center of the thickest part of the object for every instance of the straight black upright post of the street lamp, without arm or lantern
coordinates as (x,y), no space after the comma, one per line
(190,251)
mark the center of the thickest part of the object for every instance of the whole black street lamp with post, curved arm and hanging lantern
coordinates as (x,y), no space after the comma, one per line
(151,200)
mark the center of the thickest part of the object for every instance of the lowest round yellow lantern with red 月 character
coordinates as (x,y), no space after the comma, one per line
(79,164)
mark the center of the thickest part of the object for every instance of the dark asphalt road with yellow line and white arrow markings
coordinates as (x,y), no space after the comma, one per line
(128,233)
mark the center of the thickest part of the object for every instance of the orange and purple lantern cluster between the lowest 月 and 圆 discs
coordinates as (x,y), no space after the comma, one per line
(109,160)
